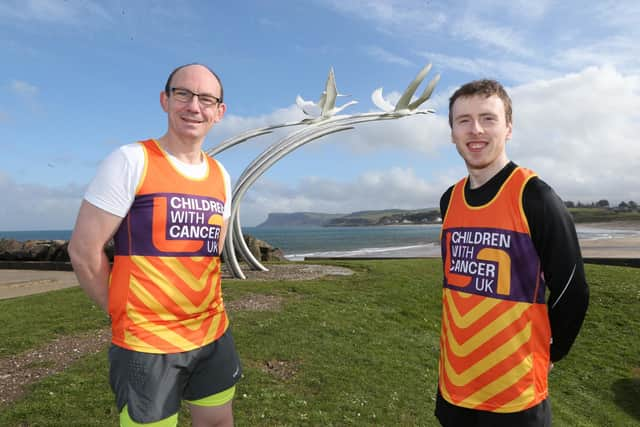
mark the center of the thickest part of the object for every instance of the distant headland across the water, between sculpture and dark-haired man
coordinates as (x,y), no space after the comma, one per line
(361,218)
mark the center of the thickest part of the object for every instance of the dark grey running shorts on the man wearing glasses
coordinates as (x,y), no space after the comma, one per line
(153,385)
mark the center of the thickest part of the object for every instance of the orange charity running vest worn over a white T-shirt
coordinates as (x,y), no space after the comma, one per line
(164,290)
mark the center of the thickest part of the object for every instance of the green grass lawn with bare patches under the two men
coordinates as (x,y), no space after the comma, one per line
(362,349)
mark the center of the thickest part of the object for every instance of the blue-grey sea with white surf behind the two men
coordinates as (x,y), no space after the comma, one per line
(298,243)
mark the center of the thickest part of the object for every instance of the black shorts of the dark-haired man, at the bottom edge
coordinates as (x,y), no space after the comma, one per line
(451,415)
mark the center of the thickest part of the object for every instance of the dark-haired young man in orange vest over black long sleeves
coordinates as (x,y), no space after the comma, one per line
(506,237)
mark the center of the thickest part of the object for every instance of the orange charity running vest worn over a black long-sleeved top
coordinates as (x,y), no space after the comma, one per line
(494,345)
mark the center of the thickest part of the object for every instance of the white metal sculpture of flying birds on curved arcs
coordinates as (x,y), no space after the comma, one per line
(322,121)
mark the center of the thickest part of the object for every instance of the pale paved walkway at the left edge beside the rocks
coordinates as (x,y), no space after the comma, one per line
(17,283)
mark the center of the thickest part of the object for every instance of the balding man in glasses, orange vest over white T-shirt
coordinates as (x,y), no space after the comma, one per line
(166,205)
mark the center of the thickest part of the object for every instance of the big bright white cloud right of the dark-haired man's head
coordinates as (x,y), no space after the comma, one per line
(579,133)
